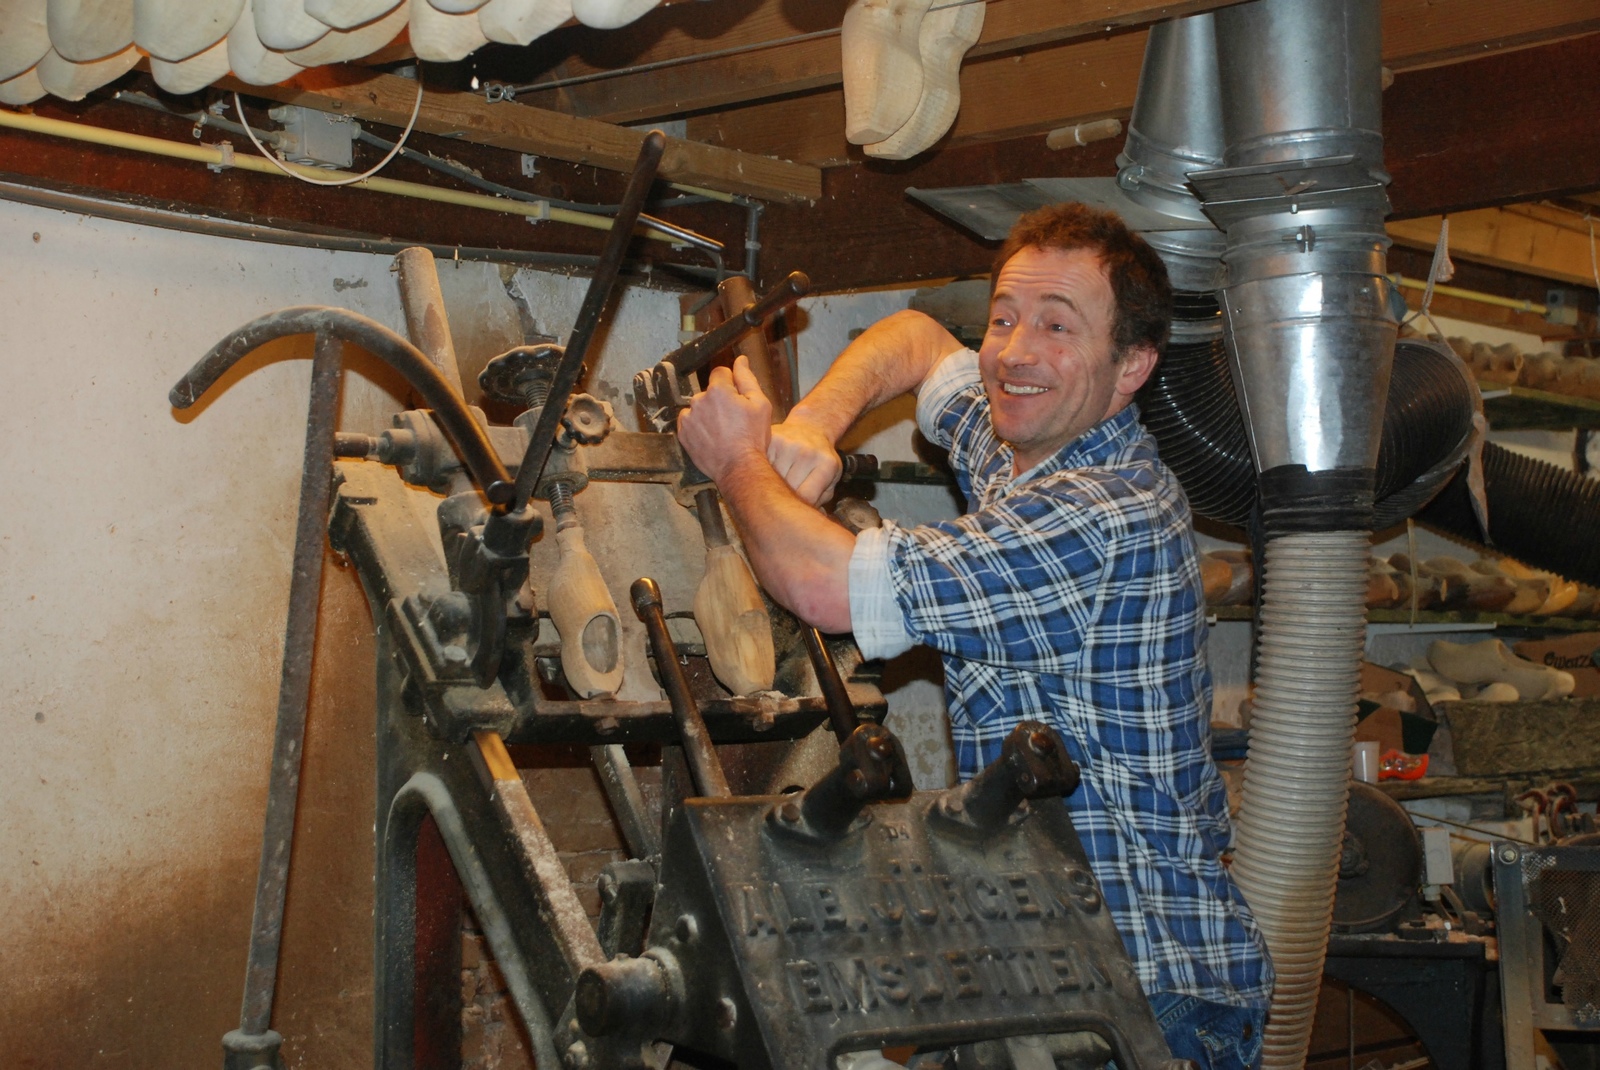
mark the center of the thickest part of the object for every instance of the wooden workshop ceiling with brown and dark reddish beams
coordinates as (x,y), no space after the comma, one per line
(1492,105)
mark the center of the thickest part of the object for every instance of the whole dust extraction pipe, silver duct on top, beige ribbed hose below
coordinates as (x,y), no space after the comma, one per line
(1300,199)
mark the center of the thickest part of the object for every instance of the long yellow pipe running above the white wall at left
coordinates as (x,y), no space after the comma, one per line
(214,156)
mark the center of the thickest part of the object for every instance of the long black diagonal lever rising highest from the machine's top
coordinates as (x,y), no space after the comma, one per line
(596,300)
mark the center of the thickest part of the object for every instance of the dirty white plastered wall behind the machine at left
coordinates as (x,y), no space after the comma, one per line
(145,561)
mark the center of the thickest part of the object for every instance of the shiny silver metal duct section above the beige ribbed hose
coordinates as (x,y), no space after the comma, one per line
(1305,300)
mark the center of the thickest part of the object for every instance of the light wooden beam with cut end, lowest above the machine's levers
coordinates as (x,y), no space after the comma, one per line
(388,100)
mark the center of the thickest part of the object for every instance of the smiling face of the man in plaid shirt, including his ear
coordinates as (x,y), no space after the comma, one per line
(1049,357)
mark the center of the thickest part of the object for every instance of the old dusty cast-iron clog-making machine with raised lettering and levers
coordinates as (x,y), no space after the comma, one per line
(766,920)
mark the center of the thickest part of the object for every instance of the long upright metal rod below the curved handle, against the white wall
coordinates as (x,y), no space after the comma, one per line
(300,641)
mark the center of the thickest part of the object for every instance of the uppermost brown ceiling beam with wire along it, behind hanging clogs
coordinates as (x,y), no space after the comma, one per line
(809,65)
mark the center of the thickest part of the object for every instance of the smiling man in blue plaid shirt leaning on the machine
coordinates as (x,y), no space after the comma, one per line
(1070,593)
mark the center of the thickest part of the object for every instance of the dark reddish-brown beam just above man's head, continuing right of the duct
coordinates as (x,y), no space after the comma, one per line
(1460,137)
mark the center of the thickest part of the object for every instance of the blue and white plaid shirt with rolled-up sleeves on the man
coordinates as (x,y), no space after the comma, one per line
(1071,594)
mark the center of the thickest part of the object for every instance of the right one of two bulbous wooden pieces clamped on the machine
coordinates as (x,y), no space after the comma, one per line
(734,620)
